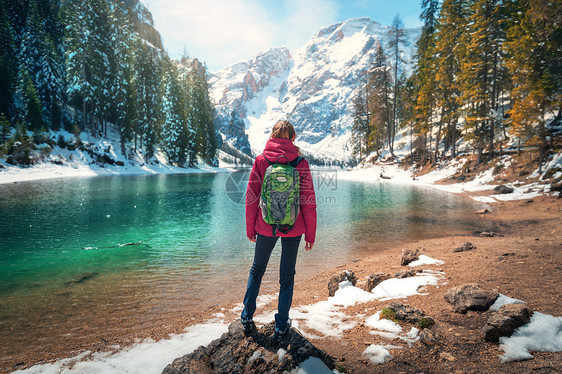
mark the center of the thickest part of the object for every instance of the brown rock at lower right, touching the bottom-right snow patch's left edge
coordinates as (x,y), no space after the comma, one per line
(505,321)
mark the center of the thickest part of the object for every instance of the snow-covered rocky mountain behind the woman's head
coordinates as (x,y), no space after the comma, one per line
(313,89)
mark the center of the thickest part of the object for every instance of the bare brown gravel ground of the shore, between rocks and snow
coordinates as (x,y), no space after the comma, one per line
(530,233)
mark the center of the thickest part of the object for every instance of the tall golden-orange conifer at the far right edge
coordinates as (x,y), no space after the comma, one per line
(534,61)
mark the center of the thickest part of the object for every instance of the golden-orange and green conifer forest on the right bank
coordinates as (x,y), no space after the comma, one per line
(486,73)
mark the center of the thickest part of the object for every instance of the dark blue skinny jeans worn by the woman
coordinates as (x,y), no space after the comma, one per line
(264,247)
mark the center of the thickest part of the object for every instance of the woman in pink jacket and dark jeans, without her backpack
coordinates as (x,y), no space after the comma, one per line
(279,148)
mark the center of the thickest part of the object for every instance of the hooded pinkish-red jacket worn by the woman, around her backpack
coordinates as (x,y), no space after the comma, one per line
(306,220)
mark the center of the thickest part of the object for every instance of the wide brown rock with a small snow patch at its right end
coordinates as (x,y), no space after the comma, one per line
(470,297)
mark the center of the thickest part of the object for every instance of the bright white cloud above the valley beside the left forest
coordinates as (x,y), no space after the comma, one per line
(216,31)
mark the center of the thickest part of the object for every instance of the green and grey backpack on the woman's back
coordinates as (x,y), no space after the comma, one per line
(280,193)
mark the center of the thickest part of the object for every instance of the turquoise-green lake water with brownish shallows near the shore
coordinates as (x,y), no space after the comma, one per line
(63,275)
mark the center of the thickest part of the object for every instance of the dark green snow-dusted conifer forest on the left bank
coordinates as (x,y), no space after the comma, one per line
(82,65)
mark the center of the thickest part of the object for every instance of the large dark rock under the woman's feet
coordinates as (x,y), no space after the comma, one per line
(235,353)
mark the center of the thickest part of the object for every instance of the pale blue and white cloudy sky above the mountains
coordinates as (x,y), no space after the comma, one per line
(225,32)
